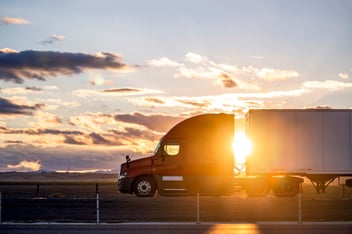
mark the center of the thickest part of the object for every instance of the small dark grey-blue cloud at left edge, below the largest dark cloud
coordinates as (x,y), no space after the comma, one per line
(9,108)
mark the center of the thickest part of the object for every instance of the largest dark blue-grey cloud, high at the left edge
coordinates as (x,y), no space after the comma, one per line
(30,64)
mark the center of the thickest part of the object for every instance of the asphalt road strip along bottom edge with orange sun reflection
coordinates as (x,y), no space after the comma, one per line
(169,228)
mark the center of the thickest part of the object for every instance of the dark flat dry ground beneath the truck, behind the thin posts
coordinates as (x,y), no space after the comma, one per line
(77,203)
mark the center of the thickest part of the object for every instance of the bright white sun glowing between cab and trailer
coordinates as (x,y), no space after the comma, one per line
(242,146)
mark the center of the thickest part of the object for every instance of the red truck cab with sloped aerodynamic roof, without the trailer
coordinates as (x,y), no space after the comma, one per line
(195,156)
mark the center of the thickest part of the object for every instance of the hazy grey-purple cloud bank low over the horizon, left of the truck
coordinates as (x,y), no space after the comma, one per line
(61,158)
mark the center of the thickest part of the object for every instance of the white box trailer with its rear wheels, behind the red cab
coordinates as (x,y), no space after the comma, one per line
(312,143)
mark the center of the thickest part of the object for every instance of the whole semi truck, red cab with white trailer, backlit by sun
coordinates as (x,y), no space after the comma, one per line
(288,145)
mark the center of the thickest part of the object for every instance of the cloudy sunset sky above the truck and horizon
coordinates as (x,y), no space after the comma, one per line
(84,83)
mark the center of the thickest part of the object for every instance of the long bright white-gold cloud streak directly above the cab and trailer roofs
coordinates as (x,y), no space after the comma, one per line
(228,103)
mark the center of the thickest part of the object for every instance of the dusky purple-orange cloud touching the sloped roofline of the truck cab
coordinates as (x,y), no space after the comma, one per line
(160,123)
